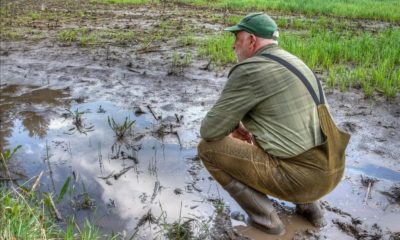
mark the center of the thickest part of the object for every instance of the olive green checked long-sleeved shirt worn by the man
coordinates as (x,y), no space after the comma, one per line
(272,102)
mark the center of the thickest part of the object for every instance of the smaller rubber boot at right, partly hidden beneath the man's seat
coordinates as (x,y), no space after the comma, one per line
(312,212)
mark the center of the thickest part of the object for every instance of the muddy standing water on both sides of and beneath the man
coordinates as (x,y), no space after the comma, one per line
(126,179)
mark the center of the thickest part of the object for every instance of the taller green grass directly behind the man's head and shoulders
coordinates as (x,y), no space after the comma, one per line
(352,58)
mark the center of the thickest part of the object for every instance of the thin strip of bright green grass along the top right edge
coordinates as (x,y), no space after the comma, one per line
(388,10)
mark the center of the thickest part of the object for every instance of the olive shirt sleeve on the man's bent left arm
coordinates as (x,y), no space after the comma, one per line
(236,99)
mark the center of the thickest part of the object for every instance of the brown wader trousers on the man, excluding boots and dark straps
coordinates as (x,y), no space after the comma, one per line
(300,179)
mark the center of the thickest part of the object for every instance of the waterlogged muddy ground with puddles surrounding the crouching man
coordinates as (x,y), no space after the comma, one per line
(152,177)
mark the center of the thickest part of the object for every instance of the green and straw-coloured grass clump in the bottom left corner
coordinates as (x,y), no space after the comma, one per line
(24,215)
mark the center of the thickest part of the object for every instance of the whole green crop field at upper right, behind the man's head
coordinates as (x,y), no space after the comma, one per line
(355,42)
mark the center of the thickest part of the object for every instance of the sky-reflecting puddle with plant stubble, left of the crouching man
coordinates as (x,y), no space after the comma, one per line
(156,176)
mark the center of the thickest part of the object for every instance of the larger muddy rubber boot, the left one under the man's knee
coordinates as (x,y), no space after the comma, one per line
(258,206)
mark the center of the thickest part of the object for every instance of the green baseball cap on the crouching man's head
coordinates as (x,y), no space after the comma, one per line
(259,24)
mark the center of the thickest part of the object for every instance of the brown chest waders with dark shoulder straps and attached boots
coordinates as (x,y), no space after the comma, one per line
(248,173)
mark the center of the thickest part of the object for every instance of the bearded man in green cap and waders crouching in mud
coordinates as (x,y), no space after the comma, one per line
(270,132)
